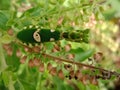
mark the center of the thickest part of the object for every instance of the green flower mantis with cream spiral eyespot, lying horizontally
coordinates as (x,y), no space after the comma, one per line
(35,34)
